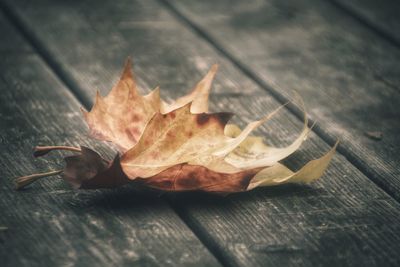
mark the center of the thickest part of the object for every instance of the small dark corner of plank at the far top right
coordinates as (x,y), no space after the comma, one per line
(382,16)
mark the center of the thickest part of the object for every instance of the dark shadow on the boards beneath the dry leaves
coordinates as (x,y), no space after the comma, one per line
(133,196)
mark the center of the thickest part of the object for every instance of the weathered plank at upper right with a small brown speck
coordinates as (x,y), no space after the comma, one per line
(348,76)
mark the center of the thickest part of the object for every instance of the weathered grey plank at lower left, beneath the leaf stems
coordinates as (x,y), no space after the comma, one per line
(50,224)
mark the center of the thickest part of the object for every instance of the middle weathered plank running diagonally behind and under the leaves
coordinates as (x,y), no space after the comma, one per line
(343,219)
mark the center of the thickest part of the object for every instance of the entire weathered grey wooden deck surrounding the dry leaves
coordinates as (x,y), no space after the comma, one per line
(341,56)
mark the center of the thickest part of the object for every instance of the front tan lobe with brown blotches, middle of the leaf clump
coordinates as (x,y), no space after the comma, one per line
(183,137)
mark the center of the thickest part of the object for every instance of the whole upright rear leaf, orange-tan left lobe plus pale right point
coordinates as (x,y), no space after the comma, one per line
(120,117)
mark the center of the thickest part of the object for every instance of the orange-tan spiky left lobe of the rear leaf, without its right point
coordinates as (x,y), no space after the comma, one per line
(121,116)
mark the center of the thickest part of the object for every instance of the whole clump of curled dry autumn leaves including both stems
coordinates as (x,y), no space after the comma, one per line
(177,146)
